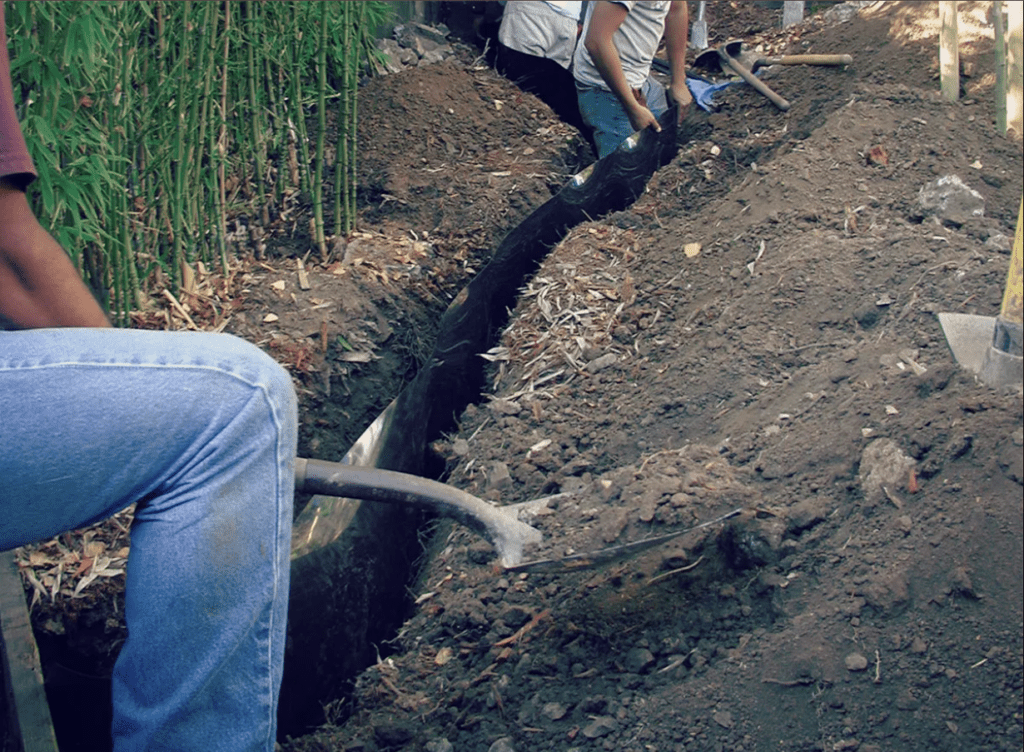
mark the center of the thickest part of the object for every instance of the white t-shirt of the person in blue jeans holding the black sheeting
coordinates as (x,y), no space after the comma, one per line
(637,40)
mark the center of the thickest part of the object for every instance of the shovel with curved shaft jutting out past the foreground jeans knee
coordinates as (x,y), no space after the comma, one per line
(499,525)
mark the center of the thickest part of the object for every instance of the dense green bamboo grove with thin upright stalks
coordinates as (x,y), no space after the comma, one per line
(167,133)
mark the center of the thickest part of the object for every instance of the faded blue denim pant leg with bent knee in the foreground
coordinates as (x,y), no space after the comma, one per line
(200,430)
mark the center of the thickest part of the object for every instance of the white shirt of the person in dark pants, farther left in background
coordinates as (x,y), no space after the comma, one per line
(542,29)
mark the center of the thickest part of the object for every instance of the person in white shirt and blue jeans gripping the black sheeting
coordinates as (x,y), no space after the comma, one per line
(617,94)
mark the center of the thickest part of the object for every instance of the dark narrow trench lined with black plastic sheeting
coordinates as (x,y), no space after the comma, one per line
(350,584)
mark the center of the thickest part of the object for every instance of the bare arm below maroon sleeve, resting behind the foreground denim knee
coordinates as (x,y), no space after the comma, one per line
(39,286)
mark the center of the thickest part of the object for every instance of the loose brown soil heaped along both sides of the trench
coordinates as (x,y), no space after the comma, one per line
(757,332)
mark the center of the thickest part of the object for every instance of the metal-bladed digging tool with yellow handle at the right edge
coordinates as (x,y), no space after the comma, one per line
(992,347)
